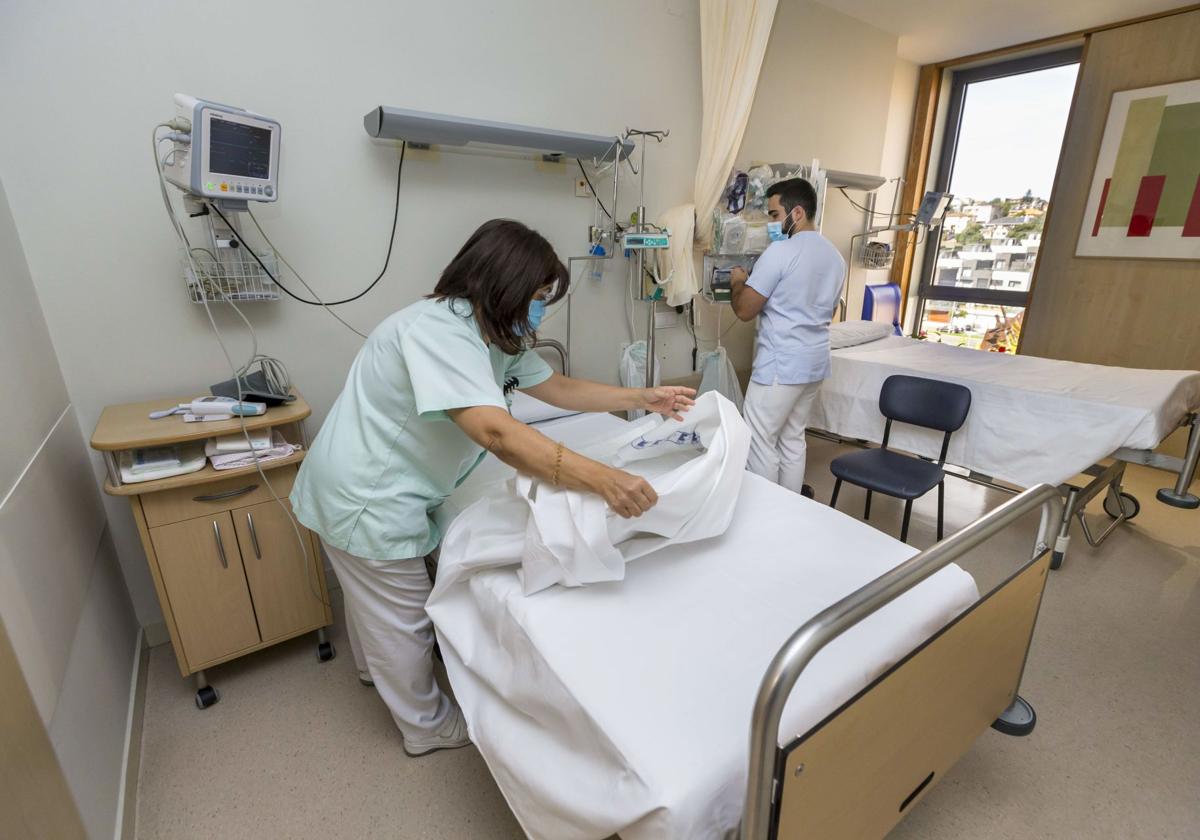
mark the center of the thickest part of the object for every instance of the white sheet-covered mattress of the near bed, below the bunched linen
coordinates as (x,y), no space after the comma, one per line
(626,707)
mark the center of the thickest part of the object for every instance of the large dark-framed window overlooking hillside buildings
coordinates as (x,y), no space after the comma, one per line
(1004,135)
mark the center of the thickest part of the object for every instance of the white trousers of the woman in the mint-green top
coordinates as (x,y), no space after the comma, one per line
(392,637)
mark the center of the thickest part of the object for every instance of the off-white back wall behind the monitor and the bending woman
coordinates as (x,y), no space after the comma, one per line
(95,79)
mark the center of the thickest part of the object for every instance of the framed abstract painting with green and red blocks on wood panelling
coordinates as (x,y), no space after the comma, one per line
(1145,196)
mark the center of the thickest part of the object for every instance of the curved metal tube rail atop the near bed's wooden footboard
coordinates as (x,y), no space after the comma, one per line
(796,655)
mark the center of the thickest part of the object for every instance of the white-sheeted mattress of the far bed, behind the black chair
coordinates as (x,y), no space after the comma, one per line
(1031,419)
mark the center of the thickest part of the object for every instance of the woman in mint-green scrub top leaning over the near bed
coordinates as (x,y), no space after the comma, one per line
(424,403)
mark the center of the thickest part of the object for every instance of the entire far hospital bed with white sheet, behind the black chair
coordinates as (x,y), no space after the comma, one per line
(1033,421)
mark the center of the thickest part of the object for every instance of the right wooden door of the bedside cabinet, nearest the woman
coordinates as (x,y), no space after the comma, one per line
(286,589)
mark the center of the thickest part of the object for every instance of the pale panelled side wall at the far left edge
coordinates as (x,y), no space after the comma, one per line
(63,598)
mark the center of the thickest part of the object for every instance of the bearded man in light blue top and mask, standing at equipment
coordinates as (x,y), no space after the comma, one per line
(794,292)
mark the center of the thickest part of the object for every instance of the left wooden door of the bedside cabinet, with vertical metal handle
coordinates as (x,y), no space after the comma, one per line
(206,584)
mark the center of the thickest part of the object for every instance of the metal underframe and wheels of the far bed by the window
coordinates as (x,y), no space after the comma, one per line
(1107,479)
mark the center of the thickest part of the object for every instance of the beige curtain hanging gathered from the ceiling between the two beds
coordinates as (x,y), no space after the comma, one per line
(734,38)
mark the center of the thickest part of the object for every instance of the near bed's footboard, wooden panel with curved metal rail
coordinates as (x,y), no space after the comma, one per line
(856,773)
